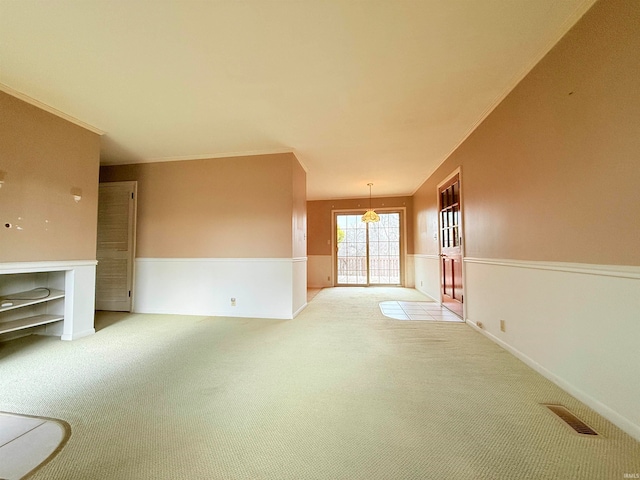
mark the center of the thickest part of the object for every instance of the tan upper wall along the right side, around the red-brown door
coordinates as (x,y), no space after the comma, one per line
(553,173)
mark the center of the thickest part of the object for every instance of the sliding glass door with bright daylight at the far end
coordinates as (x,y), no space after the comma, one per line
(368,253)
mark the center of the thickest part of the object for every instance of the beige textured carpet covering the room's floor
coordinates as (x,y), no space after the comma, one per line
(341,392)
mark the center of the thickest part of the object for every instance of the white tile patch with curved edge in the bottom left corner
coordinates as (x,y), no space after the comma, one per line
(29,442)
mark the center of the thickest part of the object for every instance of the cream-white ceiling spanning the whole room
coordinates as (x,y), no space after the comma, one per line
(361,91)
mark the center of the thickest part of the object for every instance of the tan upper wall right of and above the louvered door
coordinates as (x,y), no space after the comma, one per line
(238,207)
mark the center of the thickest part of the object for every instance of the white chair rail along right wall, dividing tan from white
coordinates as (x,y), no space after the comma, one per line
(620,271)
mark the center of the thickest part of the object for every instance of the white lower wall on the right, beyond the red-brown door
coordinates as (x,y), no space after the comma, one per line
(578,325)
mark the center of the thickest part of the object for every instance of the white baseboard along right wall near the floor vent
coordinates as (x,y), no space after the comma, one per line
(613,416)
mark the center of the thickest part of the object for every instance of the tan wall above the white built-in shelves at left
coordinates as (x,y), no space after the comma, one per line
(42,158)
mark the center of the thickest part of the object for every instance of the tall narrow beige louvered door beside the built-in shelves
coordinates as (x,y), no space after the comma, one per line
(116,246)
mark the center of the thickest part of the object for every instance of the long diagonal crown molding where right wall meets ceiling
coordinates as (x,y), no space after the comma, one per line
(580,10)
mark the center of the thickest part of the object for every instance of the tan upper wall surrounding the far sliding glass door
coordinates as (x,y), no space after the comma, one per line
(319,219)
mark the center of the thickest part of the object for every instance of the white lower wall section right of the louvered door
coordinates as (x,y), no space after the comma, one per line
(262,287)
